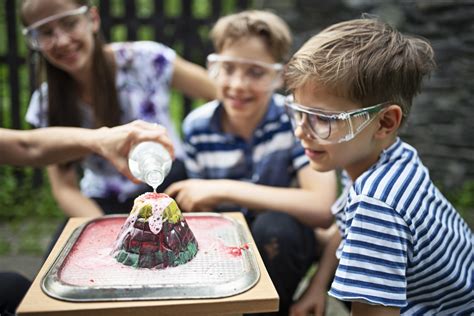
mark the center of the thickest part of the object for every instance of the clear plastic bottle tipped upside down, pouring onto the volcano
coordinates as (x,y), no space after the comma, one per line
(149,162)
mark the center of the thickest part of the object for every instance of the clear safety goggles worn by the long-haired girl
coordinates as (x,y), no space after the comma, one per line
(39,36)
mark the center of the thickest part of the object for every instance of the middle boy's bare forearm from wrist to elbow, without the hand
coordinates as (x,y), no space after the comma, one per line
(297,202)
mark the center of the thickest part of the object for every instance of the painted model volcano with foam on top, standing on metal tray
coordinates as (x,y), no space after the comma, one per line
(155,235)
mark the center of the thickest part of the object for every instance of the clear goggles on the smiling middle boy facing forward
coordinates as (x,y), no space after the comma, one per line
(258,75)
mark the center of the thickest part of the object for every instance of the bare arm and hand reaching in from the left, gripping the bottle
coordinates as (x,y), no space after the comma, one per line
(59,144)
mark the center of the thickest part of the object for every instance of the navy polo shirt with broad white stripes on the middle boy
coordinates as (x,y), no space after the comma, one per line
(271,157)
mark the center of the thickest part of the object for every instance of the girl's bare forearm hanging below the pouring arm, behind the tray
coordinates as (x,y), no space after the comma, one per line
(66,192)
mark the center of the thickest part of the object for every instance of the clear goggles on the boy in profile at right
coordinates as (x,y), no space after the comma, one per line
(330,127)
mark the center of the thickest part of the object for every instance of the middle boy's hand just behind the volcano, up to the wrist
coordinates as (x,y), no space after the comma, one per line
(196,195)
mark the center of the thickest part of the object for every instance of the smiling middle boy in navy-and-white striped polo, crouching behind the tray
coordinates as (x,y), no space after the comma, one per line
(243,155)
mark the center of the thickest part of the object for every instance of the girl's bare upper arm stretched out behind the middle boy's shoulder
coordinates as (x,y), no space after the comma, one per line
(192,80)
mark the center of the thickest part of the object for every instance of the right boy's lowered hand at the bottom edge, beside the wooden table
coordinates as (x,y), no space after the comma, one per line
(313,302)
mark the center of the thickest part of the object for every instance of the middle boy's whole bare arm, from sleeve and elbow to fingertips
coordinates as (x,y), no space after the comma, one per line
(310,203)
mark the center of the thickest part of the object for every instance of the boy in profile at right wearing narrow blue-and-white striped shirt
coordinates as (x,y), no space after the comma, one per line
(404,249)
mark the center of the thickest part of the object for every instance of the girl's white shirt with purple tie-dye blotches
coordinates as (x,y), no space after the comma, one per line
(144,73)
